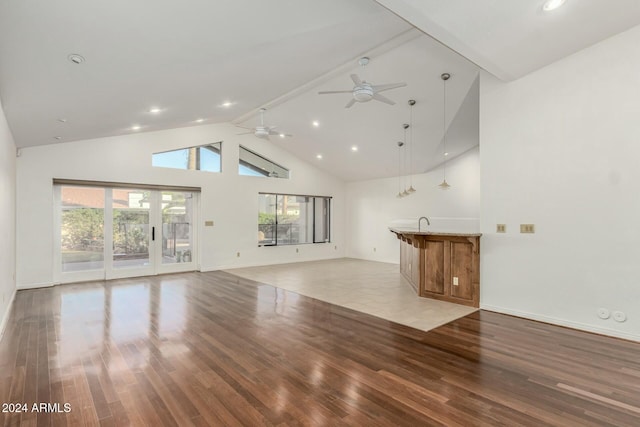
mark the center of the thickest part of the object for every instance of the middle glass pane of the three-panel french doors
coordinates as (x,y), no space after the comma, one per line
(130,227)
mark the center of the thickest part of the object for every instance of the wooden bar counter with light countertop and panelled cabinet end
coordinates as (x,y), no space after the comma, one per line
(443,266)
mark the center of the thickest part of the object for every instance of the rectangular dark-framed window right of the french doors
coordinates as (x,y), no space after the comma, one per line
(285,219)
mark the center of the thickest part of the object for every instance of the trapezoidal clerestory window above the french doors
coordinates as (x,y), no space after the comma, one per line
(202,158)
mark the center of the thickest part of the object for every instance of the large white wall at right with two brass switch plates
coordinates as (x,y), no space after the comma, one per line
(561,148)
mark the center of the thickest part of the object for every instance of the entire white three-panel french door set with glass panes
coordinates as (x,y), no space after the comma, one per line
(116,232)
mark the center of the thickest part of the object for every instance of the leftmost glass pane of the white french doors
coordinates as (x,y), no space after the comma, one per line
(82,228)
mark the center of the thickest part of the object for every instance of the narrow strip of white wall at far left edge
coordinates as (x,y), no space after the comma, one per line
(7,220)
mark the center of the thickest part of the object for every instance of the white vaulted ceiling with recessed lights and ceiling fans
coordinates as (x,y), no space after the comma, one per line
(188,58)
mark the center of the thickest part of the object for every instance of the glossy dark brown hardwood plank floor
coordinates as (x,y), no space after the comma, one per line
(216,349)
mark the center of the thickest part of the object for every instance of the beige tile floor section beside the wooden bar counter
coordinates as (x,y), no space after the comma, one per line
(374,288)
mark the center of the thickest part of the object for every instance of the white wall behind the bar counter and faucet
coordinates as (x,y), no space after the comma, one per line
(372,206)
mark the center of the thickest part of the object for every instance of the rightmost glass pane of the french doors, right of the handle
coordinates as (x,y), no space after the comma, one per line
(177,220)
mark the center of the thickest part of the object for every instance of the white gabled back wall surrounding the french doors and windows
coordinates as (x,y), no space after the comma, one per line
(228,199)
